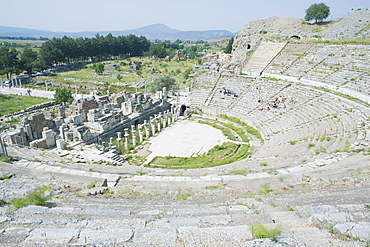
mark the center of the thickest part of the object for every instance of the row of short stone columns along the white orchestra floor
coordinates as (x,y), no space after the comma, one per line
(149,128)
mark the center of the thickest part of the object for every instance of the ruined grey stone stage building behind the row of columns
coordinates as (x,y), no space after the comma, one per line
(88,120)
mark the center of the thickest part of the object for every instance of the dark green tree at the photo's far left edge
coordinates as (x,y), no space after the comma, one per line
(9,62)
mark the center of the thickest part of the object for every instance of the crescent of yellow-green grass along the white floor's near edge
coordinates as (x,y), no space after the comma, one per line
(219,155)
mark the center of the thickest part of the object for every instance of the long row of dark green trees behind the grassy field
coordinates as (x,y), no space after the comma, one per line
(66,50)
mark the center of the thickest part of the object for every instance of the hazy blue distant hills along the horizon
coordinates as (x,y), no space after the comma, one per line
(152,32)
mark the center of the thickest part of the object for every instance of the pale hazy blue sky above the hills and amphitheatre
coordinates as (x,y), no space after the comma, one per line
(186,15)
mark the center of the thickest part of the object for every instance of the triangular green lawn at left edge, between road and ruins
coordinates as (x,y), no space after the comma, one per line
(13,103)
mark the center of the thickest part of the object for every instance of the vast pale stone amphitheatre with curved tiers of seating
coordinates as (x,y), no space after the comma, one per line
(306,171)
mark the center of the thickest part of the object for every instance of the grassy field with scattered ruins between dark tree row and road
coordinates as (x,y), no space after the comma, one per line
(87,79)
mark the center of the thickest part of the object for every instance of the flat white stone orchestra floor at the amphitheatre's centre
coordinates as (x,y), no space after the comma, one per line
(184,139)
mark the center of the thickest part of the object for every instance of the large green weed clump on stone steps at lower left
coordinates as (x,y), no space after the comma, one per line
(35,197)
